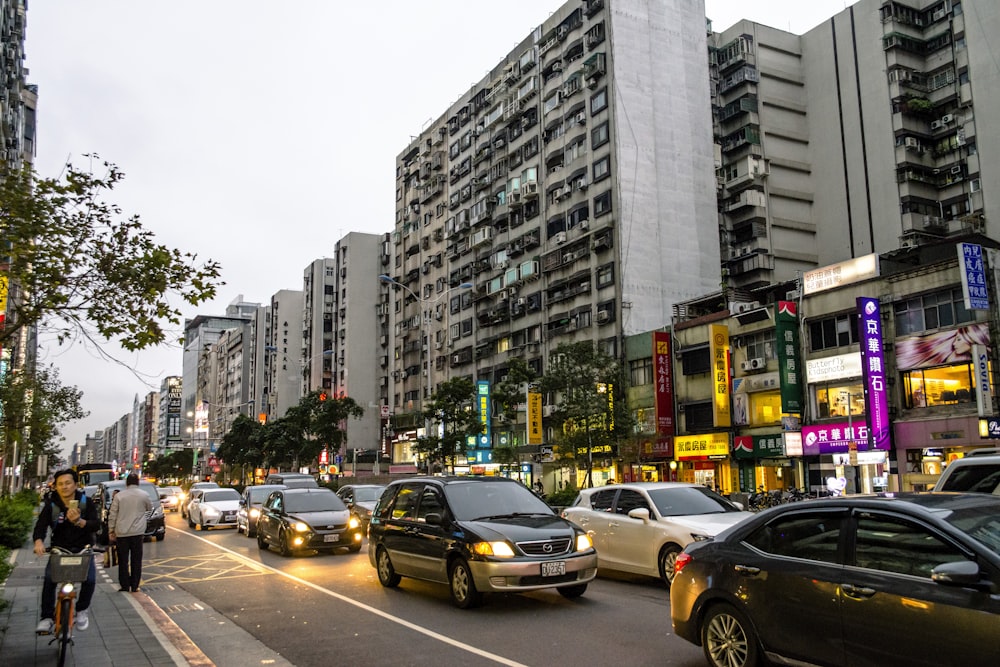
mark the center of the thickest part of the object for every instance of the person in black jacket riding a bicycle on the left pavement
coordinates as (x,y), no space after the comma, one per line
(72,518)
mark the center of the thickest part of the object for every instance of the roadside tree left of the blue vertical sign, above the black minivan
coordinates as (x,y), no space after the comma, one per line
(452,407)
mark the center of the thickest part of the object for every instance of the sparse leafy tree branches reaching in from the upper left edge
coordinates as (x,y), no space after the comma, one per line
(84,269)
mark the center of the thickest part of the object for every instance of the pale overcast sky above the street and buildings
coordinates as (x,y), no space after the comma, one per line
(259,133)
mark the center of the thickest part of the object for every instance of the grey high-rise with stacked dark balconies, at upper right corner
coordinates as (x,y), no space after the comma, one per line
(865,134)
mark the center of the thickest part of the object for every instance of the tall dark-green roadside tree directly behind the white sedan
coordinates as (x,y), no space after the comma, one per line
(584,382)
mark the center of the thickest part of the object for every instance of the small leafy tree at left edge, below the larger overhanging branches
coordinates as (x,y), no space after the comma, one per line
(35,405)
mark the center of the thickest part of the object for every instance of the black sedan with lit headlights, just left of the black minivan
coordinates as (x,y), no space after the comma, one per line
(297,520)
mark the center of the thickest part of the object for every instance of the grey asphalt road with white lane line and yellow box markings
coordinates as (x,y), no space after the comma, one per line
(316,609)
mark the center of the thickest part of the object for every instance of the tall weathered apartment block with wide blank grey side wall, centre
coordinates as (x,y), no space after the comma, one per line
(571,190)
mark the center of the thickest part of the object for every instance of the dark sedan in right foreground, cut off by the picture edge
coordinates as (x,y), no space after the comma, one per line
(904,579)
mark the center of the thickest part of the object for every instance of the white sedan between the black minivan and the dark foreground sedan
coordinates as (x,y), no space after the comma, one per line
(640,528)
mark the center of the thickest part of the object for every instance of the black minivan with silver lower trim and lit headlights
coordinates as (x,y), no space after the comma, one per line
(477,535)
